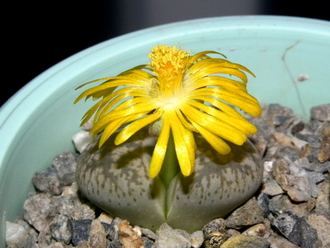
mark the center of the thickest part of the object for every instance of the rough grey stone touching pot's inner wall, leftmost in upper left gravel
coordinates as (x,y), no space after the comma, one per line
(47,181)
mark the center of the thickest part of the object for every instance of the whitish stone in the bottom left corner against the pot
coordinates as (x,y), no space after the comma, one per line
(15,234)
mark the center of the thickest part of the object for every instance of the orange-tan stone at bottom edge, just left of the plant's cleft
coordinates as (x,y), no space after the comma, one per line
(128,237)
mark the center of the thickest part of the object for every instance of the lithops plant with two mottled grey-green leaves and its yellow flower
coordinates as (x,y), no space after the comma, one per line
(168,147)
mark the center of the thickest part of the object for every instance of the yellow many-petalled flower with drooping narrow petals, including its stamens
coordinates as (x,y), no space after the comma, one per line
(172,90)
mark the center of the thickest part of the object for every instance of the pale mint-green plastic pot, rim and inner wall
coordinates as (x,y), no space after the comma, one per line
(37,123)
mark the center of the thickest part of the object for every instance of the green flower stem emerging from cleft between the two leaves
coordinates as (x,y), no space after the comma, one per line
(170,167)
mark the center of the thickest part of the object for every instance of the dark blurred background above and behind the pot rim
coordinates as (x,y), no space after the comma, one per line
(37,35)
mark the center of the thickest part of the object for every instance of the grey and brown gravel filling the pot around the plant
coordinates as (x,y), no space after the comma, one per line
(291,208)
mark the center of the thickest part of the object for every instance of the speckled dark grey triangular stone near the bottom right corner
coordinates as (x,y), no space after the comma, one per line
(284,222)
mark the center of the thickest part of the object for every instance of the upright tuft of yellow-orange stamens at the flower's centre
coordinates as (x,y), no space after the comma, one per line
(168,64)
